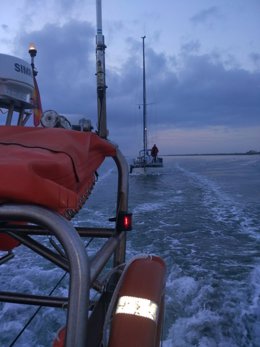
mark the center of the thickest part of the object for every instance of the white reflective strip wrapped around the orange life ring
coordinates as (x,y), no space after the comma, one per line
(137,307)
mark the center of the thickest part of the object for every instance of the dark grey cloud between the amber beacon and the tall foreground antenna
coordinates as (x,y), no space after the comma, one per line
(66,65)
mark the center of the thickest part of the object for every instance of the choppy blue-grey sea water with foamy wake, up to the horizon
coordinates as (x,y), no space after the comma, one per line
(201,214)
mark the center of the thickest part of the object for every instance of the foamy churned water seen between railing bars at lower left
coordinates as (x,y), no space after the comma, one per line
(13,317)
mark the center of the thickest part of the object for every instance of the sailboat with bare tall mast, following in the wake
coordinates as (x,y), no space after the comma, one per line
(147,160)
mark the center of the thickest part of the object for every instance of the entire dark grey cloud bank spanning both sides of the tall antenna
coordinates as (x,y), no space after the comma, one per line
(197,90)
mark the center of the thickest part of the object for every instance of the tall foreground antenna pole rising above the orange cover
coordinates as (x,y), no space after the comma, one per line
(100,73)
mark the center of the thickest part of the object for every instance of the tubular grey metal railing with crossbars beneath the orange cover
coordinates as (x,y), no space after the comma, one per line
(83,271)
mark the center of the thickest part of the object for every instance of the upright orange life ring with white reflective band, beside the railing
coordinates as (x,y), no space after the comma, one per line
(139,313)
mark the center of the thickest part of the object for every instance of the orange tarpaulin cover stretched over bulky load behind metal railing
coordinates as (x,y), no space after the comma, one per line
(53,167)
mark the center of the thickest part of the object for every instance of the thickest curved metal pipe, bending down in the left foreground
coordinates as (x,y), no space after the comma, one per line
(79,285)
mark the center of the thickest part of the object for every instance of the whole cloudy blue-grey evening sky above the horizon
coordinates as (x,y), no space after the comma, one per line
(202,67)
